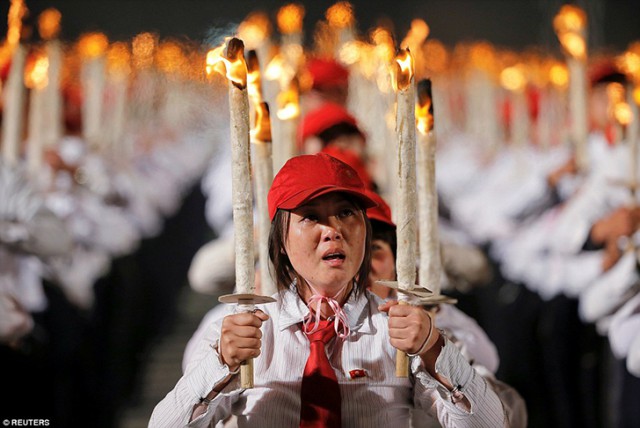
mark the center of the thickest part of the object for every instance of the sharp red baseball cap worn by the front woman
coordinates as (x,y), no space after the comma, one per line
(306,177)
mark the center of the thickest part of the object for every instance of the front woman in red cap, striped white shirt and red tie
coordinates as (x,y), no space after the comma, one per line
(320,249)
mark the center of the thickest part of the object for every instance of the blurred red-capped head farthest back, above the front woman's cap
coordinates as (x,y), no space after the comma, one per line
(328,82)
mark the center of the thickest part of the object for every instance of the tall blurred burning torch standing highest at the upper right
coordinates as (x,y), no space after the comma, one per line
(570,26)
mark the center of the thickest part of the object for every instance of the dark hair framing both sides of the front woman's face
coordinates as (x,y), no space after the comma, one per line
(285,274)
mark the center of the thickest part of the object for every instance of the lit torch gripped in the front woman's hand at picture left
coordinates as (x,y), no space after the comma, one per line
(235,70)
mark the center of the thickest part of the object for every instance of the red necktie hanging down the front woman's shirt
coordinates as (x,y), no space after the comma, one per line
(320,391)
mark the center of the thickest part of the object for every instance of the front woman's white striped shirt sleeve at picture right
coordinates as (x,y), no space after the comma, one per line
(486,409)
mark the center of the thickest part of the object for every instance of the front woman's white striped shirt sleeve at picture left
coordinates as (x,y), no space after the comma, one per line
(203,374)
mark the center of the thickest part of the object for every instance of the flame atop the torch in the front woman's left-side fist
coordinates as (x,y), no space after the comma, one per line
(230,58)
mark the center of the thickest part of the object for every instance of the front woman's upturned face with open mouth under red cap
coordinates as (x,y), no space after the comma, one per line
(326,242)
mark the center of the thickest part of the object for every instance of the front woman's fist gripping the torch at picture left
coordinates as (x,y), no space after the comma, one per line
(240,337)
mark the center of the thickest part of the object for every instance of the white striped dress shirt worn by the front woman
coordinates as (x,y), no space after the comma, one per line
(378,398)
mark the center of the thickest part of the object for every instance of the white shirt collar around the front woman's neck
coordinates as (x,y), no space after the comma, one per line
(293,310)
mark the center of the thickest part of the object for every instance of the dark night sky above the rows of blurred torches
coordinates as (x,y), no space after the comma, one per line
(507,23)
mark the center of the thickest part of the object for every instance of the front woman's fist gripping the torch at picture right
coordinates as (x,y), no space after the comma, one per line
(409,327)
